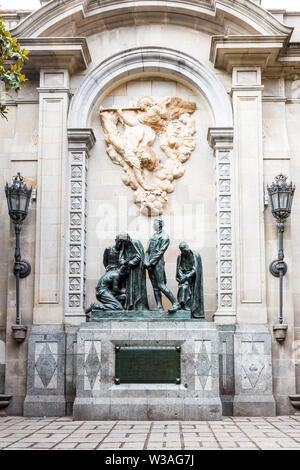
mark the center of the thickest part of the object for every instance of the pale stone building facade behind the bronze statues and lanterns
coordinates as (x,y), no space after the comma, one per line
(240,64)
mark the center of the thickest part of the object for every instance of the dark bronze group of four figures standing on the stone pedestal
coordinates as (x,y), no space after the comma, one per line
(123,286)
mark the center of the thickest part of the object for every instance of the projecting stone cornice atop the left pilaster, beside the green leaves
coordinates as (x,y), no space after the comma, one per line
(62,53)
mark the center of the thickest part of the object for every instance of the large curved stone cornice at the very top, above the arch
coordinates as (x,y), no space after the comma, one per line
(88,16)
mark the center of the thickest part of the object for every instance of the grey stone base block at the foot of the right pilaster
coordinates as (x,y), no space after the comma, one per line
(255,405)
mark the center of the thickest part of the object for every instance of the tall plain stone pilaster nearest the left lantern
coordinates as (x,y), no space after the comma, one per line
(51,195)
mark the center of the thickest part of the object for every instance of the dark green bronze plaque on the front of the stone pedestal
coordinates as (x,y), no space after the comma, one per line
(152,364)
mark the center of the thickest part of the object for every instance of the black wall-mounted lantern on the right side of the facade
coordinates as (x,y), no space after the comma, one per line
(281,195)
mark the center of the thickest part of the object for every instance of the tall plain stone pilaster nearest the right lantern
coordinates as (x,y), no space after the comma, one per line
(249,200)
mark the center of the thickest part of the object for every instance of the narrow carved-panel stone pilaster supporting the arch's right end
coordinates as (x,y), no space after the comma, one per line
(221,140)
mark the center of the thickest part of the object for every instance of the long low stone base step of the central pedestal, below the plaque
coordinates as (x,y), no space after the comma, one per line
(144,410)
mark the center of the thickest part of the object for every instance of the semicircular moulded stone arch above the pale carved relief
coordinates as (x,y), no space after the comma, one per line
(145,60)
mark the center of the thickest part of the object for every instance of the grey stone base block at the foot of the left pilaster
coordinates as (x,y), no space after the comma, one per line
(40,406)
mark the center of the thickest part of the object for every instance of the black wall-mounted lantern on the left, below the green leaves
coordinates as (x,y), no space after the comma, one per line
(18,199)
